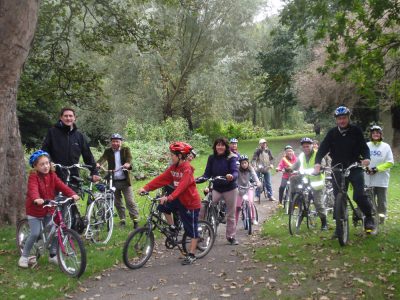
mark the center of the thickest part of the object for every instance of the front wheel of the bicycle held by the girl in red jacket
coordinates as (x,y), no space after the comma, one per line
(71,253)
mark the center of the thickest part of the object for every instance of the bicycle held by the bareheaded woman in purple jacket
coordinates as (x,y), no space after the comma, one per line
(214,213)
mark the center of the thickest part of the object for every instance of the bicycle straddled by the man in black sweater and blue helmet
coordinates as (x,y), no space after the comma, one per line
(342,201)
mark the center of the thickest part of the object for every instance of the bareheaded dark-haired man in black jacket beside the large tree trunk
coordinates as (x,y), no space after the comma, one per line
(65,144)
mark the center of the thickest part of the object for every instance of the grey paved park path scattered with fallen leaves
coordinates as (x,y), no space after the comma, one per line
(226,272)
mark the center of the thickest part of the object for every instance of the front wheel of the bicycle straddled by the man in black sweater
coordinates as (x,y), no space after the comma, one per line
(342,219)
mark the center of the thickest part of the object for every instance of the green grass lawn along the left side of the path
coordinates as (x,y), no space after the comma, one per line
(46,281)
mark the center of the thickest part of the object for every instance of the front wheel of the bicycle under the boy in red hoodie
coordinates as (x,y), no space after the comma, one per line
(138,248)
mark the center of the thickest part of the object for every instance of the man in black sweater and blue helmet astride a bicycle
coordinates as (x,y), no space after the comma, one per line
(346,145)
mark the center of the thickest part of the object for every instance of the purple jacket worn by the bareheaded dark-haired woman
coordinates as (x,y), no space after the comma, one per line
(221,166)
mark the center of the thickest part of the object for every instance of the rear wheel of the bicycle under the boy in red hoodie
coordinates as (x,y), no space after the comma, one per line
(205,241)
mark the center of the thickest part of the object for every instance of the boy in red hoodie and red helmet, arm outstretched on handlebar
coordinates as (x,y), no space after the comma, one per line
(185,199)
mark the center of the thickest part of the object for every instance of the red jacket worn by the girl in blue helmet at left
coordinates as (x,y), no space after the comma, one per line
(44,186)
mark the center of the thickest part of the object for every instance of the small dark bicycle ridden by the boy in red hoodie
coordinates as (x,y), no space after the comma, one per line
(139,245)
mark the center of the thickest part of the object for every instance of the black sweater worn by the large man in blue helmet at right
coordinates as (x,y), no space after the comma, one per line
(343,147)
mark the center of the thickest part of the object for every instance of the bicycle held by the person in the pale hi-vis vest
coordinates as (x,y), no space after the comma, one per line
(301,205)
